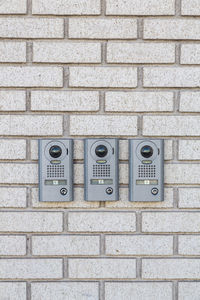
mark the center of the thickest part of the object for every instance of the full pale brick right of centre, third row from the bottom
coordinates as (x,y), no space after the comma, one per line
(139,245)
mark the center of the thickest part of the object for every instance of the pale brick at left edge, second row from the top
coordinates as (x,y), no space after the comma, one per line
(31,28)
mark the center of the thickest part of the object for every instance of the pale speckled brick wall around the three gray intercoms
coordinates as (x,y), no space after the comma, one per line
(91,68)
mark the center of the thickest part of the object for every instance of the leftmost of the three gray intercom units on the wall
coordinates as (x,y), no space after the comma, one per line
(55,170)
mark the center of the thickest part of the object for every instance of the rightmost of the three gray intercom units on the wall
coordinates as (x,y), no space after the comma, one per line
(146,167)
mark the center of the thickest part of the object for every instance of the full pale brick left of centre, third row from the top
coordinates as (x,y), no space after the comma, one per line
(65,52)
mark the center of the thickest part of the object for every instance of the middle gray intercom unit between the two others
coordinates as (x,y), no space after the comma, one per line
(101,170)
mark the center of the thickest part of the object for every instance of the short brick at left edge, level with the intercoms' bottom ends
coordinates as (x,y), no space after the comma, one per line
(12,197)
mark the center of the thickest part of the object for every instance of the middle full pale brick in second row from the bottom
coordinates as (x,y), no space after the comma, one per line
(102,268)
